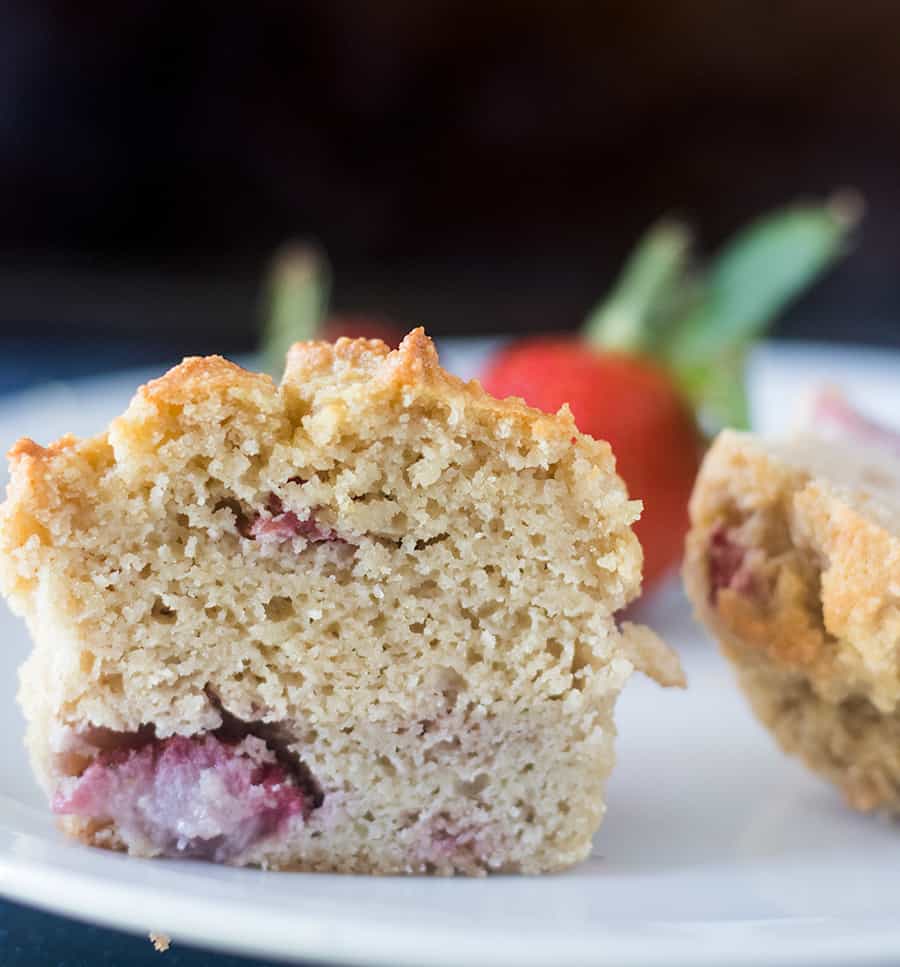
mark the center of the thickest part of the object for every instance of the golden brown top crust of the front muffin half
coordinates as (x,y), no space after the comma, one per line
(157,410)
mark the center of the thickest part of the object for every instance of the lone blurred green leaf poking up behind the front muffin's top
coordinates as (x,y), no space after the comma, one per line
(295,301)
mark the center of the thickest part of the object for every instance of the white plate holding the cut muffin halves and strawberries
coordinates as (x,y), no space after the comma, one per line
(716,848)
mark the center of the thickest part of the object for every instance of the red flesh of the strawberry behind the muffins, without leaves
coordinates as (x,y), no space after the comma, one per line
(630,402)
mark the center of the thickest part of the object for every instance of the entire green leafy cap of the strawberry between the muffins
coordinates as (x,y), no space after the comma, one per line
(700,322)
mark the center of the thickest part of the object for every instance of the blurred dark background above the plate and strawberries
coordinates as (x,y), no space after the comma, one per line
(475,167)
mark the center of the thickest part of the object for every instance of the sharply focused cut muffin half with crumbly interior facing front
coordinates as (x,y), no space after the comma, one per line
(363,621)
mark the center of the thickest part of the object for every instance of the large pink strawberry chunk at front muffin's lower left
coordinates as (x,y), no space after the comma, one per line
(200,797)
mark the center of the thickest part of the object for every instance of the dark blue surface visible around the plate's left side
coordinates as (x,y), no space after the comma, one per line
(30,938)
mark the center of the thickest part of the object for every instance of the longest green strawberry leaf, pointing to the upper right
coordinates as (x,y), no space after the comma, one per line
(756,276)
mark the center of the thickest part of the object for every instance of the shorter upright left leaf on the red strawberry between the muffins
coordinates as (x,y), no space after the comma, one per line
(630,317)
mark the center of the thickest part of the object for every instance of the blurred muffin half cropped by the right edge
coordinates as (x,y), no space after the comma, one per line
(793,563)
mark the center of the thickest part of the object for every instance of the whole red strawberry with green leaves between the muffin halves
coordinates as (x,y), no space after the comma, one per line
(665,352)
